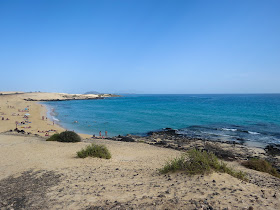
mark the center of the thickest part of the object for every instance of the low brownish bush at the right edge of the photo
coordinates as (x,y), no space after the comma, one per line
(261,165)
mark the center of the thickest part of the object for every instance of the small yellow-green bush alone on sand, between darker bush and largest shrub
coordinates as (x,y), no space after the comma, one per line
(94,150)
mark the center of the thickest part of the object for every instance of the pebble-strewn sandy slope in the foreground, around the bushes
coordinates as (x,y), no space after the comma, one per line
(129,179)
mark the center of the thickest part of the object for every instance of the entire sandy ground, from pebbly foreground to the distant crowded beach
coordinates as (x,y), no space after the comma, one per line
(37,174)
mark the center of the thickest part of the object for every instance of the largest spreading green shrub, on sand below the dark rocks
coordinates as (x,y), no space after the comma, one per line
(199,162)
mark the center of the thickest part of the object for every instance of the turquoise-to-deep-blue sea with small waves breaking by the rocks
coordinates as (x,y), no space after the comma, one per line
(242,118)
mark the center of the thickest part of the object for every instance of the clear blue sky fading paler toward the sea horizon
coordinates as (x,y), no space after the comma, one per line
(140,46)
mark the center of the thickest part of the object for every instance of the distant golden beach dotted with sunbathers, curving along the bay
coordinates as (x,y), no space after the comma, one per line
(14,107)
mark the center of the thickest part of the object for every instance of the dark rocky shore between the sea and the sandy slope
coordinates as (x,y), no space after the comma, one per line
(226,150)
